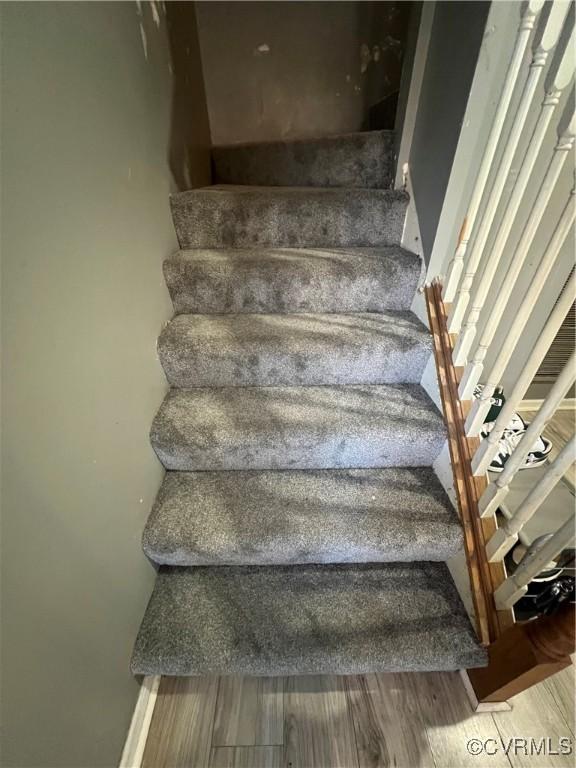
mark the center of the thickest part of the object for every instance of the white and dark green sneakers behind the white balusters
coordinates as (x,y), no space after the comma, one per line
(512,435)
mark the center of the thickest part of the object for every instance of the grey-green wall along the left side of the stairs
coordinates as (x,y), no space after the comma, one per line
(89,135)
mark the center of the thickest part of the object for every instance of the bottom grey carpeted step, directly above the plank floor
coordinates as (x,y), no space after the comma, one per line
(305,619)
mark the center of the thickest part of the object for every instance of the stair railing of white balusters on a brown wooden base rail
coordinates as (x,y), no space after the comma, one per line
(472,303)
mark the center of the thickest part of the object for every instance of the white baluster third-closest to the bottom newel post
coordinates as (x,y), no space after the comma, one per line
(496,492)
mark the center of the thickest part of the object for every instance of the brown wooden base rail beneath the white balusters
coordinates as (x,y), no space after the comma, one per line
(485,577)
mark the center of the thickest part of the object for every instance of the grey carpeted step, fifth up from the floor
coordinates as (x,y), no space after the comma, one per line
(292,280)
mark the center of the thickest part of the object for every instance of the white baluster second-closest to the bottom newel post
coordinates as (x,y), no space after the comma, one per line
(507,535)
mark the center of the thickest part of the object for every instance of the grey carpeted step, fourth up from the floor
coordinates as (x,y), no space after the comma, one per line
(275,350)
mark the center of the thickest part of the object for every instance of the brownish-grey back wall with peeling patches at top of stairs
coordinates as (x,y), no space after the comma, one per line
(278,70)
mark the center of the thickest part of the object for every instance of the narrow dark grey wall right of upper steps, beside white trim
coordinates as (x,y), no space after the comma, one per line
(455,41)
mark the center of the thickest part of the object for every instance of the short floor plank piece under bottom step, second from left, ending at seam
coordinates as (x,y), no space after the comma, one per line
(249,711)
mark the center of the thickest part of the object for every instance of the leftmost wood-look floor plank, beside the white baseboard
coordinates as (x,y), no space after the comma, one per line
(181,728)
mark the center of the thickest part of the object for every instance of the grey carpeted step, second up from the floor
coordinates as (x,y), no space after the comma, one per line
(295,516)
